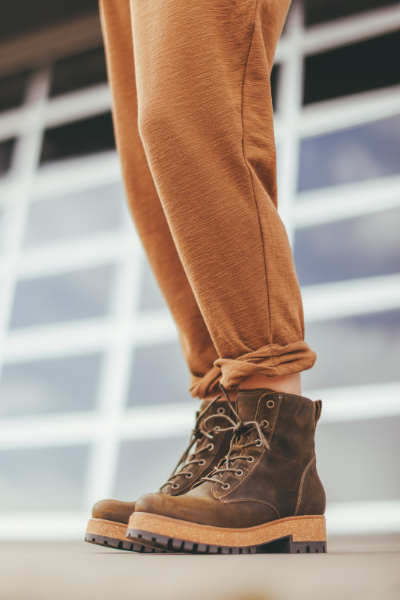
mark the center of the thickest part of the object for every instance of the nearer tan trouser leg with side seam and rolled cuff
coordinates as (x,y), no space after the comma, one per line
(206,122)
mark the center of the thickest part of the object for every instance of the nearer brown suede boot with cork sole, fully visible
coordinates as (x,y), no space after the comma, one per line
(266,495)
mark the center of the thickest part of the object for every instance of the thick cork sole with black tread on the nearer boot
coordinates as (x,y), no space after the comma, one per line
(295,535)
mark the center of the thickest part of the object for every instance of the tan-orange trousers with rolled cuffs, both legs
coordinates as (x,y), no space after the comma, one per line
(192,110)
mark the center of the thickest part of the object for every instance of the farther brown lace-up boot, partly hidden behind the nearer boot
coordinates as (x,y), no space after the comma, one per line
(211,440)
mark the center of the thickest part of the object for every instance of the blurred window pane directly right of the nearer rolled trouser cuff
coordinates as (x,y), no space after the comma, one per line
(354,351)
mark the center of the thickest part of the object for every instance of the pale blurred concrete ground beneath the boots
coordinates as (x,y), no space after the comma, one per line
(362,568)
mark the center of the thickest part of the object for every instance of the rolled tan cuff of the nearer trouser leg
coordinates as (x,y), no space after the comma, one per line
(270,360)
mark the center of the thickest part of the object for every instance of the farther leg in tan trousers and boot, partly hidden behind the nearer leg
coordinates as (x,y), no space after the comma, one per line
(207,447)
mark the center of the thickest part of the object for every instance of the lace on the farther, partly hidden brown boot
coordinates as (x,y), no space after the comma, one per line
(198,436)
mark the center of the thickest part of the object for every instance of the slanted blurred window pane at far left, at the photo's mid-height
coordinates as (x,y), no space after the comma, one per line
(67,297)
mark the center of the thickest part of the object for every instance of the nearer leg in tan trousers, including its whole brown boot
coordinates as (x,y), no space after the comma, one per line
(206,121)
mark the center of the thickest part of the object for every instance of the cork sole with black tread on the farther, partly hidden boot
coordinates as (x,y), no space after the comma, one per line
(113,535)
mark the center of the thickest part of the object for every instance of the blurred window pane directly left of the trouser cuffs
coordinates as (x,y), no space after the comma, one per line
(159,376)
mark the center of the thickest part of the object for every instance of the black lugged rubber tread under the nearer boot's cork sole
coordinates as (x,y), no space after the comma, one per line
(284,545)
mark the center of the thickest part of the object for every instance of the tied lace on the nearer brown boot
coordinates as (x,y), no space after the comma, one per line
(240,430)
